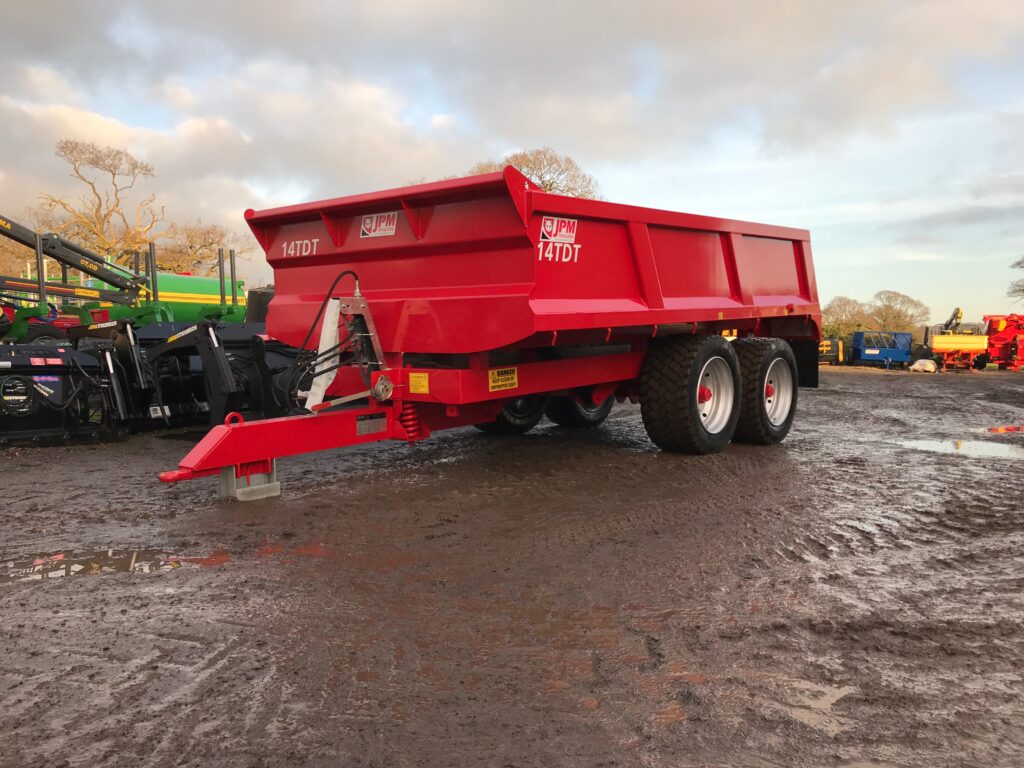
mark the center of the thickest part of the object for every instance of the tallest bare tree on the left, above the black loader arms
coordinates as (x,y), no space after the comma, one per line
(105,219)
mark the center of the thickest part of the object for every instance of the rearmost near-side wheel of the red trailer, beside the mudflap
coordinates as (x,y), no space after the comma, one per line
(770,398)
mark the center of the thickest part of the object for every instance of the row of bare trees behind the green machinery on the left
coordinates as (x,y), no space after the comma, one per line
(112,219)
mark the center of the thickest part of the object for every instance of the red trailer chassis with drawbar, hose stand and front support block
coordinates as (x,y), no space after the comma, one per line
(400,403)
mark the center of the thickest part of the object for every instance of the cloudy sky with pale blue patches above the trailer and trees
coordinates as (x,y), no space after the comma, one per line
(893,132)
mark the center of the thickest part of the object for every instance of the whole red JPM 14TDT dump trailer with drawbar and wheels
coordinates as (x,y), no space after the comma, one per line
(487,302)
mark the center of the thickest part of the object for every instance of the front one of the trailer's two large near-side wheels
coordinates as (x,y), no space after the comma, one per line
(690,390)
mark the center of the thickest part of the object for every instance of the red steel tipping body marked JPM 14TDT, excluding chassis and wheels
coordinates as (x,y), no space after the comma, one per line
(485,263)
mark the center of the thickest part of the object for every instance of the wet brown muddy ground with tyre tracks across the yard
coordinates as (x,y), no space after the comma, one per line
(850,599)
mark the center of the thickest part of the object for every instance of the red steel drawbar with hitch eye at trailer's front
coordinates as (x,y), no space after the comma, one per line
(240,444)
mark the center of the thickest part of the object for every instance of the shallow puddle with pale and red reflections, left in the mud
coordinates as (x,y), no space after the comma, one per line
(63,565)
